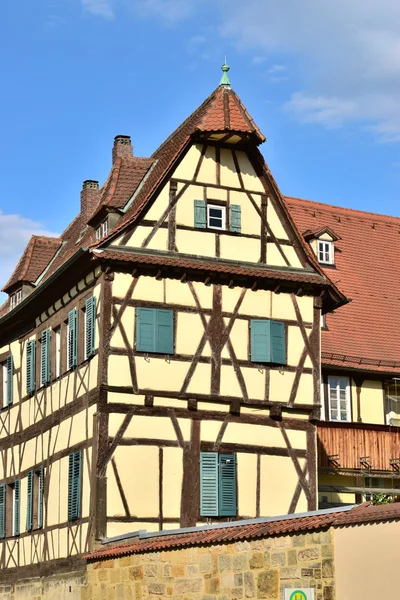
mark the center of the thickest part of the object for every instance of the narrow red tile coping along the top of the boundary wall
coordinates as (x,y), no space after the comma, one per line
(364,513)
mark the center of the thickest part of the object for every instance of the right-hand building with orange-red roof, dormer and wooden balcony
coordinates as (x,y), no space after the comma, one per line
(359,434)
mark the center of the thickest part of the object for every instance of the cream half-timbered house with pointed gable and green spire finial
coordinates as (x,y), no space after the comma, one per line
(160,360)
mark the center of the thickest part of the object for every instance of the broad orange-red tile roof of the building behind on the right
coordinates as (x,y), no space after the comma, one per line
(363,334)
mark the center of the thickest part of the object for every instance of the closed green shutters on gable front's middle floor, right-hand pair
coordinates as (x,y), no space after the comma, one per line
(267,341)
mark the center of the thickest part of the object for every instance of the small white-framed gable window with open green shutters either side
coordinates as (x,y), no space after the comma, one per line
(209,215)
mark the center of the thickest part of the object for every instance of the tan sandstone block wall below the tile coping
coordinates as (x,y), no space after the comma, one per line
(248,570)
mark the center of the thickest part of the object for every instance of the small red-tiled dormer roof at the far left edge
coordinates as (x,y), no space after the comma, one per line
(37,255)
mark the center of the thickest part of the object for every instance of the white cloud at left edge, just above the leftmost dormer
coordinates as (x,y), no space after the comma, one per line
(15,232)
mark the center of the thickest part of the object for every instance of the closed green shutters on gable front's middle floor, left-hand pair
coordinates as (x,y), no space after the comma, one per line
(154,330)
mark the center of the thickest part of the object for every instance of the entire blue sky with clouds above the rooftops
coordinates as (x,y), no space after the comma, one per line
(321,80)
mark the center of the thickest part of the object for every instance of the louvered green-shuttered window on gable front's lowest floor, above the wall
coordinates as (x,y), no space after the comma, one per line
(217,485)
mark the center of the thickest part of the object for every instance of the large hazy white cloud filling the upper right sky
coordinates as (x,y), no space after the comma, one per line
(346,55)
